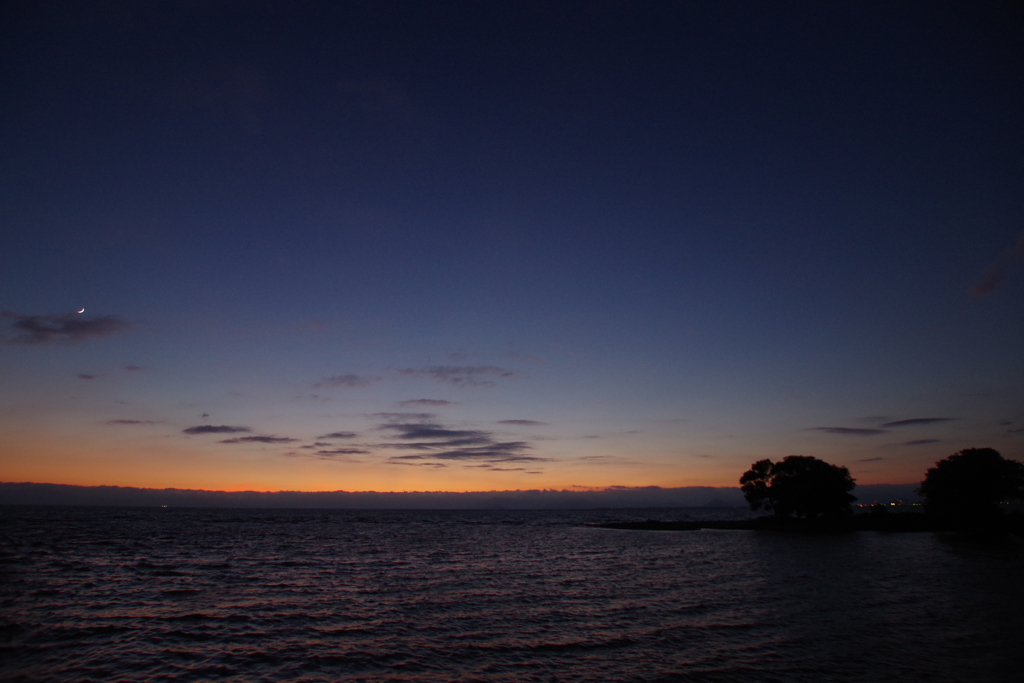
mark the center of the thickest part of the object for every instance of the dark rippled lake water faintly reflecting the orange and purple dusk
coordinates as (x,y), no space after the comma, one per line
(93,594)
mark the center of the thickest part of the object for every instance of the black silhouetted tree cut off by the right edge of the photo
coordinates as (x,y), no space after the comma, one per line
(968,487)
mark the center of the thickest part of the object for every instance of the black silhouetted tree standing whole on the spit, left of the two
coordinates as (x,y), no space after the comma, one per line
(799,486)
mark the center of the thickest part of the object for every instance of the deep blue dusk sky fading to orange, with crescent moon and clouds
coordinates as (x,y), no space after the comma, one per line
(496,246)
